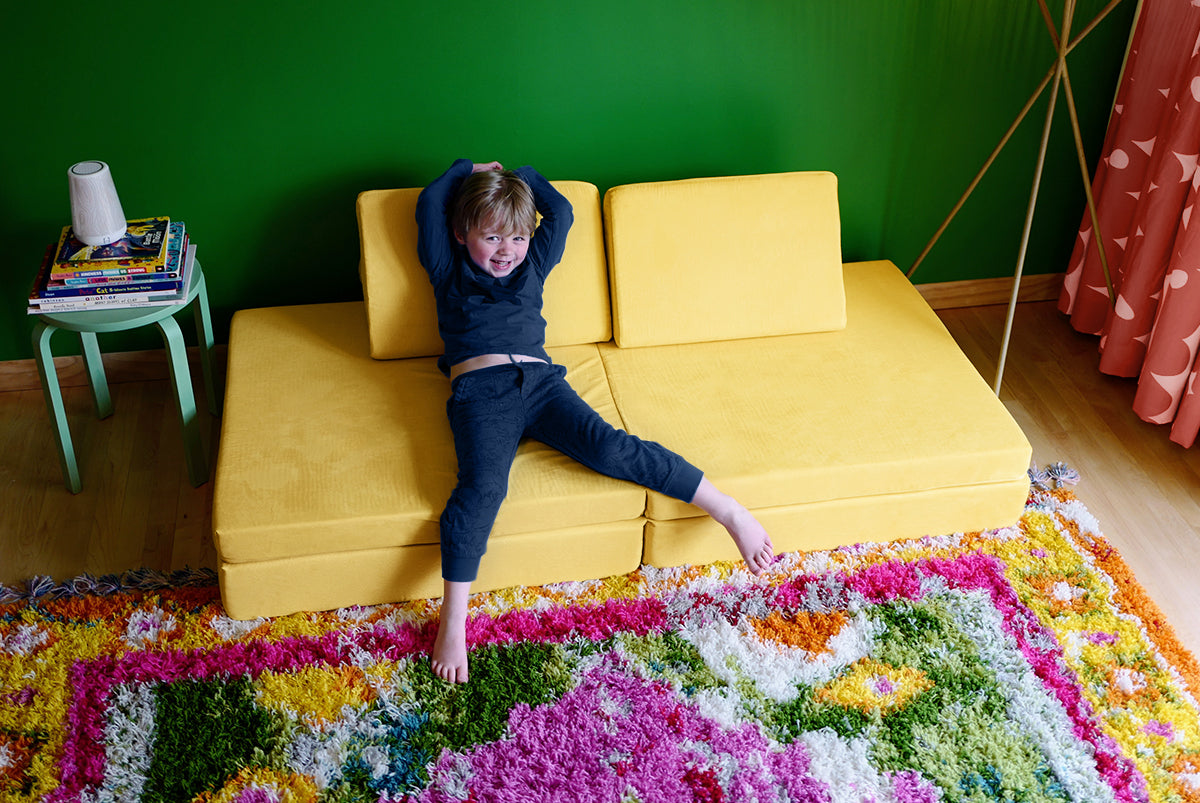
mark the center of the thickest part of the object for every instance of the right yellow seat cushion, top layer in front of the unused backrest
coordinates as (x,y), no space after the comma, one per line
(887,406)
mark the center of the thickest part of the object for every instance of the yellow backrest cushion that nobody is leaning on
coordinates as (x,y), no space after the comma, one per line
(707,260)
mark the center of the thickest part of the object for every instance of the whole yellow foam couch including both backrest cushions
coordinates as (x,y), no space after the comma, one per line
(715,316)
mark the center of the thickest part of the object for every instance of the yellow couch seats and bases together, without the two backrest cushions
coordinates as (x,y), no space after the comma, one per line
(813,488)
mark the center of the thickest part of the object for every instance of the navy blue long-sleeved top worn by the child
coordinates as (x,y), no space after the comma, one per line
(479,314)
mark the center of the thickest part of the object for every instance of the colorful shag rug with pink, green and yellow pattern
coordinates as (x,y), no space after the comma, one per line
(1023,664)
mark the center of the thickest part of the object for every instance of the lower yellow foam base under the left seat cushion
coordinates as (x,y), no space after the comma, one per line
(334,580)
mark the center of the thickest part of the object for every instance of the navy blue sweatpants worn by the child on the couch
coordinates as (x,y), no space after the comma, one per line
(493,409)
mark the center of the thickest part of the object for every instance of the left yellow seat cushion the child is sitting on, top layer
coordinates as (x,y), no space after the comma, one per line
(325,450)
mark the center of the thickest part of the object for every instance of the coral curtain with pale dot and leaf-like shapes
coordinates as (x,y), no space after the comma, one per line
(1145,189)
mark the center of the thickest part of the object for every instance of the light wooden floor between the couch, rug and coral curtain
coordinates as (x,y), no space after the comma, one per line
(1144,490)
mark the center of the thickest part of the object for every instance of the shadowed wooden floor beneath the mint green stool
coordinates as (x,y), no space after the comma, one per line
(137,507)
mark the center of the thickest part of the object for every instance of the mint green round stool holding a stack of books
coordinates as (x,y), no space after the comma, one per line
(91,322)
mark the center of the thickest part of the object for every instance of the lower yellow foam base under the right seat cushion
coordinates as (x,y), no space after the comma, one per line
(841,523)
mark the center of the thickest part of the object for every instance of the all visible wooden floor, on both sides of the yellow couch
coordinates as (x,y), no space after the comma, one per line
(137,508)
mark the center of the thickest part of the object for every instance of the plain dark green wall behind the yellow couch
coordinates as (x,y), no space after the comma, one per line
(259,123)
